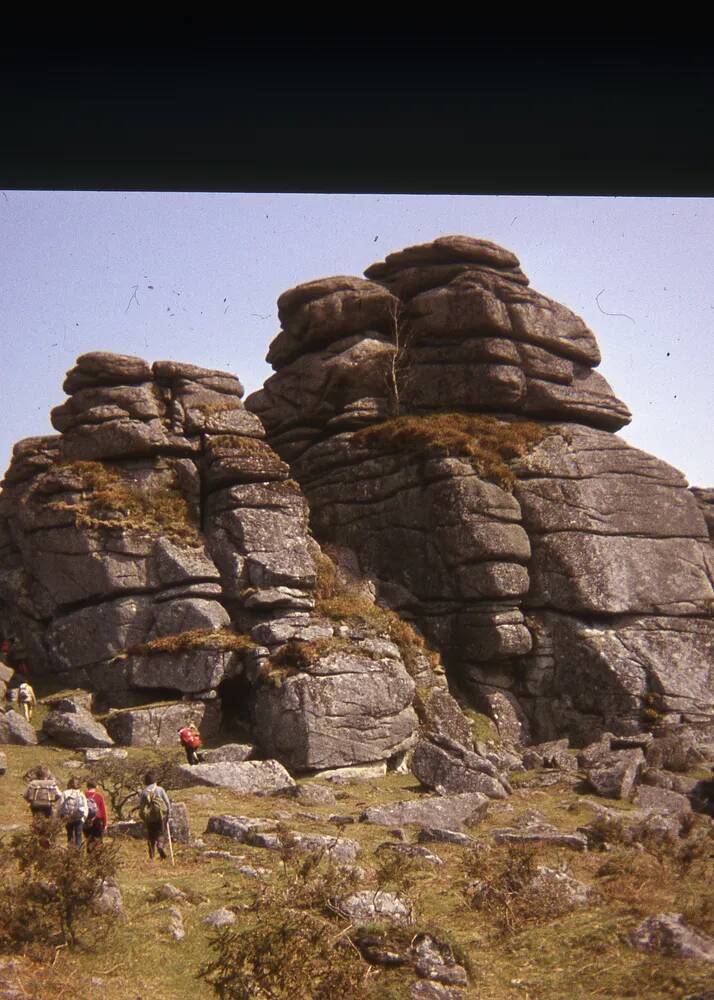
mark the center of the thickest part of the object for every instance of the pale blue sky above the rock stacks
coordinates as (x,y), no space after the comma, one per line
(195,277)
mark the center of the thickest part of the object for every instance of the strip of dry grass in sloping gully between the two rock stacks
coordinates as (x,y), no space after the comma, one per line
(338,601)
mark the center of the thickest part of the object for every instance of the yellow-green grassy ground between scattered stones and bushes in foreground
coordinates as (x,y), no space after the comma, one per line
(582,955)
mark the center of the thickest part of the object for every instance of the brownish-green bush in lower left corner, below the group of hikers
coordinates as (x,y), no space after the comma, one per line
(49,889)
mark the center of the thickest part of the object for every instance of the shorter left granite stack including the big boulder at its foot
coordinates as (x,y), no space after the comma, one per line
(156,552)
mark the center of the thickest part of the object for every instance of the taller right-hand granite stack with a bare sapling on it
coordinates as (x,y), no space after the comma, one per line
(570,592)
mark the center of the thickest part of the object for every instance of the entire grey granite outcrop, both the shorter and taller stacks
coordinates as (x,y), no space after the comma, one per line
(441,429)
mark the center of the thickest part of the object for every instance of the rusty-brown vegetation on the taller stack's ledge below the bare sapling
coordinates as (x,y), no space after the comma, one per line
(488,443)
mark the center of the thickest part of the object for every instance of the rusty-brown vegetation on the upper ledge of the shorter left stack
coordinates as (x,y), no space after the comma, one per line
(108,501)
